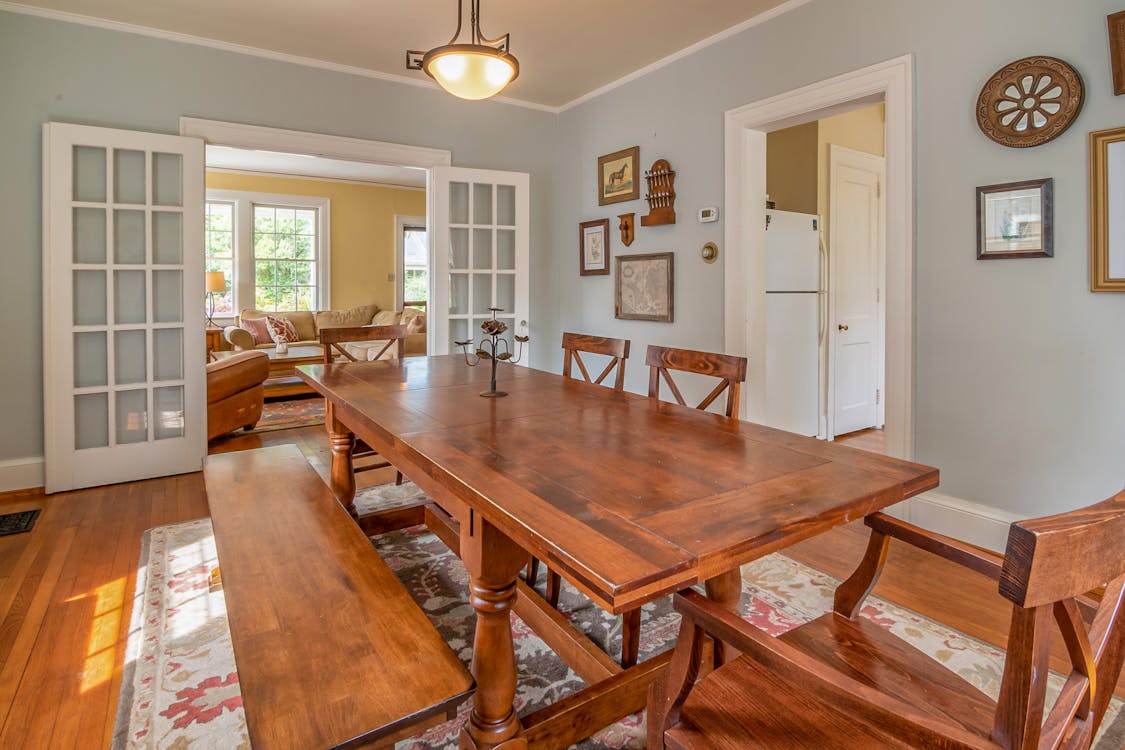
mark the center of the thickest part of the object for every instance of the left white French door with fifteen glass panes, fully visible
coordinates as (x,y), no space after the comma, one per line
(124,381)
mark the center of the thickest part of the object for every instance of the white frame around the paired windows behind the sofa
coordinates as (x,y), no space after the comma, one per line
(245,202)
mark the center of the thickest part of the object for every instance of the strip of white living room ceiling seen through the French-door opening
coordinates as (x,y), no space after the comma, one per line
(272,162)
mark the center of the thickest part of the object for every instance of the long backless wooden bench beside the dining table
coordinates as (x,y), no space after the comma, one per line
(331,649)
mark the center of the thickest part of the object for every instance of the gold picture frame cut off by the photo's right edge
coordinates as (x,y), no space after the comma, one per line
(1108,219)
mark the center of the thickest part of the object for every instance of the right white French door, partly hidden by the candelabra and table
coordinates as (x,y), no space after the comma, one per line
(480,231)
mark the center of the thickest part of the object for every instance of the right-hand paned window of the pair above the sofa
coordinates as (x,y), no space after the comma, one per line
(285,258)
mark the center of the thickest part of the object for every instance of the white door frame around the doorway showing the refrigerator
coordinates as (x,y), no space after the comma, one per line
(744,282)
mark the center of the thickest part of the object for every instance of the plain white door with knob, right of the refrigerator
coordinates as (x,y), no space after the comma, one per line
(856,242)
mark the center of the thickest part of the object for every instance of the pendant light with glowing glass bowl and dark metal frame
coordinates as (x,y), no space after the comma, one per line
(478,70)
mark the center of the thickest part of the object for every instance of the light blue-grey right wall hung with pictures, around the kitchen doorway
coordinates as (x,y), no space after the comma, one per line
(1019,385)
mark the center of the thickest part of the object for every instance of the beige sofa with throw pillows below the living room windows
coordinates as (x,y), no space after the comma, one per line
(250,331)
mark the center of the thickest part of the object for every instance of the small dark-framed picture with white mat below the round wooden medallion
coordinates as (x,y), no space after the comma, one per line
(1015,220)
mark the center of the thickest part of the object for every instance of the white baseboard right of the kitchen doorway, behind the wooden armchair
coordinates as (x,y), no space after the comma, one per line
(968,522)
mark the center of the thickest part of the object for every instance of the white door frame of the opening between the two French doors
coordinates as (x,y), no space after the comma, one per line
(239,135)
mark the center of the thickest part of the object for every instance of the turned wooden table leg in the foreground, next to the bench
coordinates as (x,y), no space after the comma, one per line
(493,563)
